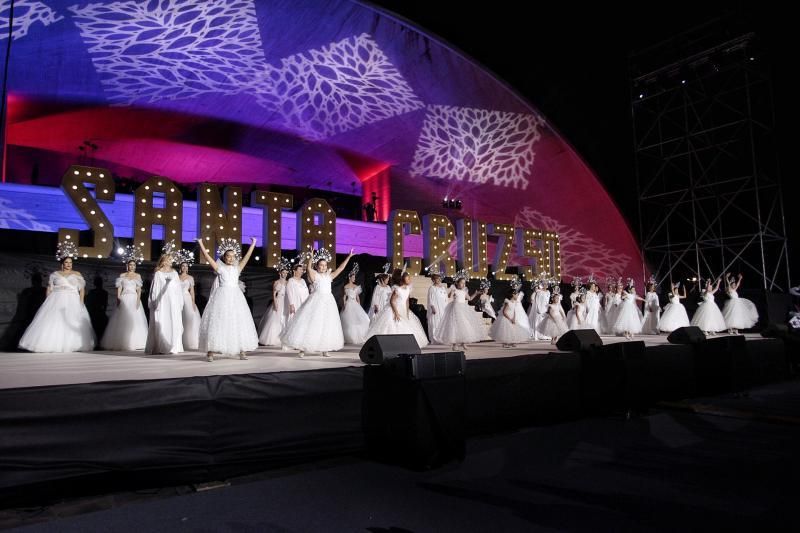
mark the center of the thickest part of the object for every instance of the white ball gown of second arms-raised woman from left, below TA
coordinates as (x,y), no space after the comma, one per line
(316,326)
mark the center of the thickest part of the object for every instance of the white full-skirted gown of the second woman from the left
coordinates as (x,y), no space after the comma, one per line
(127,327)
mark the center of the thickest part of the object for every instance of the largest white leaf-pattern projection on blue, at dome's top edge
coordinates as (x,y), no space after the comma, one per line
(169,49)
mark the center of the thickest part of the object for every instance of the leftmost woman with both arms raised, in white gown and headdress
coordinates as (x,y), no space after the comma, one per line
(227,326)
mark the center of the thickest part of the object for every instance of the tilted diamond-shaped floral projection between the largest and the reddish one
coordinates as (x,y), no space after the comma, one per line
(337,88)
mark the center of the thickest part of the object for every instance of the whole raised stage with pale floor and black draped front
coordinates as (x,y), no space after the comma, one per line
(82,422)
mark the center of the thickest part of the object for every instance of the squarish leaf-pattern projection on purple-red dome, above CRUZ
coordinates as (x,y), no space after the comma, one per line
(477,146)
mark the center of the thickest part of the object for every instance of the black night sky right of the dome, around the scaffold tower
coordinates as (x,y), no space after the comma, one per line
(572,63)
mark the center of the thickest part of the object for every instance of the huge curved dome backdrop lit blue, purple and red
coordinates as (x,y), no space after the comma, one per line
(327,94)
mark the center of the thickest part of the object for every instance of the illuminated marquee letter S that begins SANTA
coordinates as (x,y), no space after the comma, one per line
(74,184)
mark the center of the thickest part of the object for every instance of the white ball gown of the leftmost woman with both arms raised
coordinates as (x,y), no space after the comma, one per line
(227,326)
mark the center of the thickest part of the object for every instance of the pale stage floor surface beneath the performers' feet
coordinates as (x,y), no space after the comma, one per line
(18,370)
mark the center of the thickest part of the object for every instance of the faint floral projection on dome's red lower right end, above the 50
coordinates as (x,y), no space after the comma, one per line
(580,255)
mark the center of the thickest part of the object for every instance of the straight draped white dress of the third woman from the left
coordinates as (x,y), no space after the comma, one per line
(165,332)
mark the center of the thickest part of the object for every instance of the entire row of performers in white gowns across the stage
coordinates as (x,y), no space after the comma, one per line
(305,316)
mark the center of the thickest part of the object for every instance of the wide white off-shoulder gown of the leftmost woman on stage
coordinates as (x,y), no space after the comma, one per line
(62,323)
